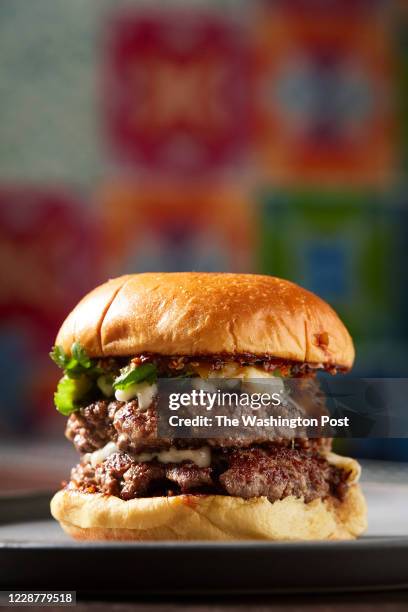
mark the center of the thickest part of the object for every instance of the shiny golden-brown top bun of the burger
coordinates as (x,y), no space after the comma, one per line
(193,313)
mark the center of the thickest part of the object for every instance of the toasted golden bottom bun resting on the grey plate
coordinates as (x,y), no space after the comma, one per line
(93,516)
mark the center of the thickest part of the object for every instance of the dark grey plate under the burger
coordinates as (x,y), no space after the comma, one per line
(35,554)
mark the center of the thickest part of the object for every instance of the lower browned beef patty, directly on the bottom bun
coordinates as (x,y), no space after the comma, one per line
(274,472)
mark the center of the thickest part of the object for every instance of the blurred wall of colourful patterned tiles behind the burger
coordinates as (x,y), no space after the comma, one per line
(236,136)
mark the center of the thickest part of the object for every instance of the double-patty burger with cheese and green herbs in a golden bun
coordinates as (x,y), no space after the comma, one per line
(131,483)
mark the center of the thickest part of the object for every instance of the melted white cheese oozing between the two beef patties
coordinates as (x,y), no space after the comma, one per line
(200,456)
